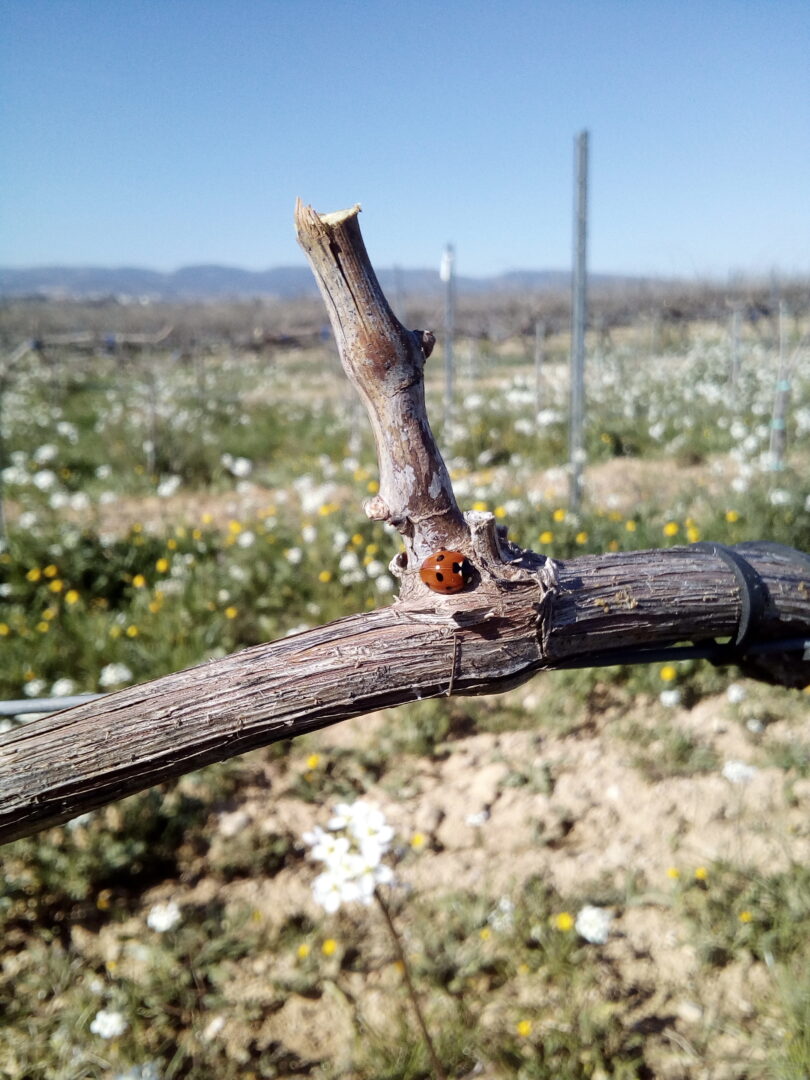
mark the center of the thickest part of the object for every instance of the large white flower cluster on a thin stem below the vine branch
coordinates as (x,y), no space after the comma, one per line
(352,848)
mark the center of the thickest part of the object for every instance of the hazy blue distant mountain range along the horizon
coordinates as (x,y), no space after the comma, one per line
(220,282)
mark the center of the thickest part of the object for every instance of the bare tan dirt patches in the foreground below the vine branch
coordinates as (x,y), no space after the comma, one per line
(603,826)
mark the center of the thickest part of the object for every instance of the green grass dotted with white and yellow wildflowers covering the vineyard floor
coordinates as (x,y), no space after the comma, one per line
(86,585)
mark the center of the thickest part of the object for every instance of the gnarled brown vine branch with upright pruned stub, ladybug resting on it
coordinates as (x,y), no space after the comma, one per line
(522,614)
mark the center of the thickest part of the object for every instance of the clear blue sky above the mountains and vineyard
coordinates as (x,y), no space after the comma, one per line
(161,133)
